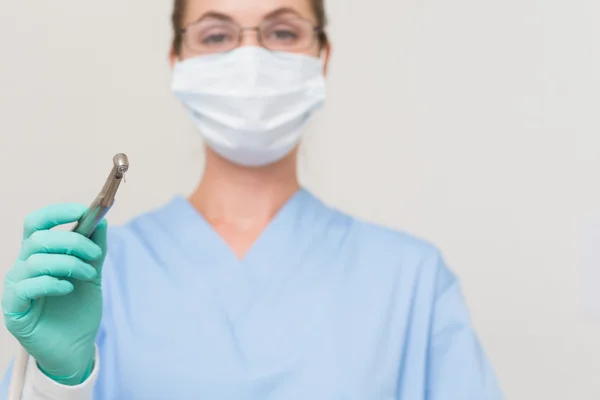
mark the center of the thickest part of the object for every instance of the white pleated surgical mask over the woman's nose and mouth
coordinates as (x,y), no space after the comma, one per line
(251,104)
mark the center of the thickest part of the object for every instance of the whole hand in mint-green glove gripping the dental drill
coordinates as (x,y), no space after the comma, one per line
(52,301)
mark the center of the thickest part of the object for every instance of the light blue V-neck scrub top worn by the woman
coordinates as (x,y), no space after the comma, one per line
(323,306)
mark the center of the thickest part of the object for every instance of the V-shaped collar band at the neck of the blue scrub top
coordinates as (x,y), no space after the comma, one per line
(240,283)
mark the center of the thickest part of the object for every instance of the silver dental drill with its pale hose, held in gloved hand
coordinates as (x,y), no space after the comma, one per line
(85,226)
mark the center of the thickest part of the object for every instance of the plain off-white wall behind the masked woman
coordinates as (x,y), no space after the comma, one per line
(471,123)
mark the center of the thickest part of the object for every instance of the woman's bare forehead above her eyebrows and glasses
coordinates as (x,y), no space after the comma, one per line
(245,12)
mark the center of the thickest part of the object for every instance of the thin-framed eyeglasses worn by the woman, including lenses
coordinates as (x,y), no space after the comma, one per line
(211,35)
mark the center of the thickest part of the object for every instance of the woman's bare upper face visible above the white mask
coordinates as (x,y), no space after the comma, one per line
(212,34)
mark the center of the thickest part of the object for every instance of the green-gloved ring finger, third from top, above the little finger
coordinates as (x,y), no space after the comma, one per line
(56,265)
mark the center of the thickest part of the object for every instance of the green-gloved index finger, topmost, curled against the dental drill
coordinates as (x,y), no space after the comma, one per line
(51,216)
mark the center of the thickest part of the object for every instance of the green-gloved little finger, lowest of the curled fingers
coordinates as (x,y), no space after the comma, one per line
(24,292)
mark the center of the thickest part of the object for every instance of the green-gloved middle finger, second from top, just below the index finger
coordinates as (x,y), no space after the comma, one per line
(60,242)
